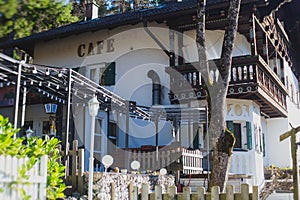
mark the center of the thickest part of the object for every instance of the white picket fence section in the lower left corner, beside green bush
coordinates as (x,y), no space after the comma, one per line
(36,186)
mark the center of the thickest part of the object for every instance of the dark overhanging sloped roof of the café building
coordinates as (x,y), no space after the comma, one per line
(168,10)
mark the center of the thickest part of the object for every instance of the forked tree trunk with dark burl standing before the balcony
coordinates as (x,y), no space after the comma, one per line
(220,138)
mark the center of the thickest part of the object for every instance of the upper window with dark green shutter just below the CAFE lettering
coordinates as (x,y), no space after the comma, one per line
(103,74)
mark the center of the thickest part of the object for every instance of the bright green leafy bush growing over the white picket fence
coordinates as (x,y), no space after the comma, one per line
(33,148)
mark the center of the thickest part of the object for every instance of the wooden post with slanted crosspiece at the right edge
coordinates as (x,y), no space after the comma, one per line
(292,133)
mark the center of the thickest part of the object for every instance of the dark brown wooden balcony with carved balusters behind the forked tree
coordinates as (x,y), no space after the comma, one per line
(251,78)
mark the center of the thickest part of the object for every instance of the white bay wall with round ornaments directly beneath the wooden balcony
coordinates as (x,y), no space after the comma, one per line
(245,161)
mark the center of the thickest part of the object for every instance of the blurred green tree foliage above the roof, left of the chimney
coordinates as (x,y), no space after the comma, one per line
(20,18)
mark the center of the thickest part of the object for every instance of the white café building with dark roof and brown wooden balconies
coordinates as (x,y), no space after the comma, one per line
(148,57)
